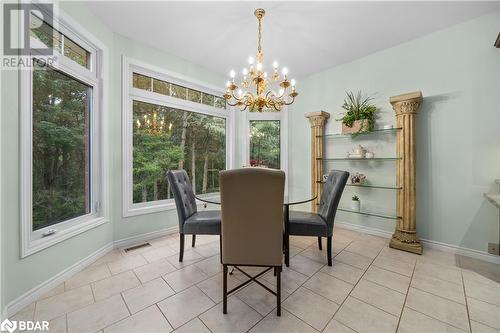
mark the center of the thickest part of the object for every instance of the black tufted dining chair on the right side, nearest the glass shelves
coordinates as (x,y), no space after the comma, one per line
(321,224)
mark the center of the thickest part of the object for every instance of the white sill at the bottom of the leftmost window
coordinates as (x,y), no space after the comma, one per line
(40,244)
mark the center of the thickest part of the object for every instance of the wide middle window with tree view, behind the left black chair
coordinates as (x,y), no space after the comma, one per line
(171,123)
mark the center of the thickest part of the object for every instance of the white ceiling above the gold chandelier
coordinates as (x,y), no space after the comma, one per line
(307,37)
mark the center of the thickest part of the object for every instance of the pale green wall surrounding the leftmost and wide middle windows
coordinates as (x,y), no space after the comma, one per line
(21,275)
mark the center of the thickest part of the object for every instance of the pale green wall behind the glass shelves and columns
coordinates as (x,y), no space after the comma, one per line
(458,127)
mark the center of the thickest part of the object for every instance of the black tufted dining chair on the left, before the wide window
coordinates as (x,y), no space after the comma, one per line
(191,221)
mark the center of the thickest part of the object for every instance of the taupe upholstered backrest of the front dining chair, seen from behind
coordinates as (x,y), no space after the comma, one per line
(252,216)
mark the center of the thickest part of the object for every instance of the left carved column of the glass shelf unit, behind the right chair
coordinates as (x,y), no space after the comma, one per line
(317,120)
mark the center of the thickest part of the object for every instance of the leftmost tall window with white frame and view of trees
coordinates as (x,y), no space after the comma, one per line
(62,158)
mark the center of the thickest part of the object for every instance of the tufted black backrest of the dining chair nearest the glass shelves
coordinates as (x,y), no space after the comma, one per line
(332,191)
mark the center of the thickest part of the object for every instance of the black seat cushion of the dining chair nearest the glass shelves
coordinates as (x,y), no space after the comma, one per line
(307,224)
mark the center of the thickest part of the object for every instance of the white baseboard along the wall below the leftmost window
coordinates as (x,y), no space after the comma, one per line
(32,295)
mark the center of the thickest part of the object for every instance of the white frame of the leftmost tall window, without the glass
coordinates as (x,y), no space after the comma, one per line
(33,241)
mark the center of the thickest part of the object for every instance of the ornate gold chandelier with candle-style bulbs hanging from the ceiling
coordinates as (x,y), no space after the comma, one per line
(264,97)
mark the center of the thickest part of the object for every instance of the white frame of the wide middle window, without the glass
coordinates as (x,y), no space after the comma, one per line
(129,94)
